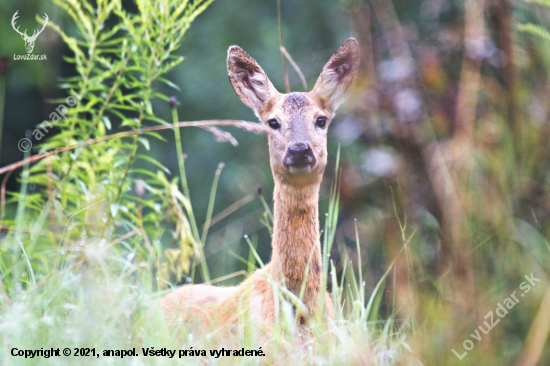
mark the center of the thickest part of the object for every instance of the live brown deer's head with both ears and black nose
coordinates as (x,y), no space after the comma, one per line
(298,146)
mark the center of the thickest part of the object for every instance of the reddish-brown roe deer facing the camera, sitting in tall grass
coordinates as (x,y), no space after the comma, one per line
(298,156)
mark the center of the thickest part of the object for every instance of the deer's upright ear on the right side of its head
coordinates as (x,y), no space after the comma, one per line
(338,74)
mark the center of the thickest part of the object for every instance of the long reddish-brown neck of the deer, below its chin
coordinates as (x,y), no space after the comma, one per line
(296,238)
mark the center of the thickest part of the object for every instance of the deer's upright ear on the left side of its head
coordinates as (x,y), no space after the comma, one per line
(248,79)
